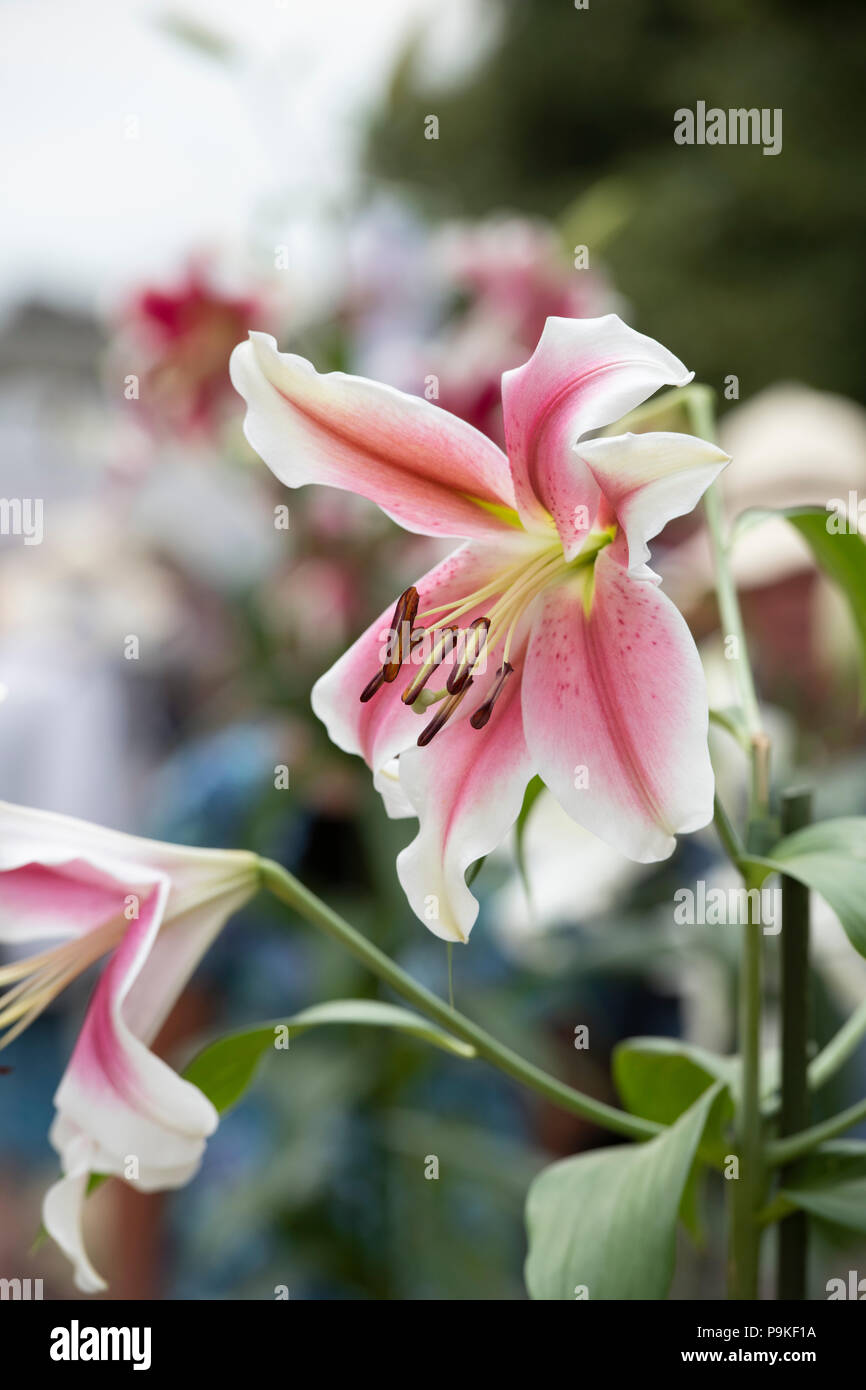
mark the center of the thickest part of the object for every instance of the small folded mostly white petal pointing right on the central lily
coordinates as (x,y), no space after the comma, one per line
(648,480)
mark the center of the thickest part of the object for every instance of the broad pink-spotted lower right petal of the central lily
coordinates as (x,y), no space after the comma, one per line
(616,714)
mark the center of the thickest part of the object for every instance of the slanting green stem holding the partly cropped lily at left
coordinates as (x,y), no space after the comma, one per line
(288,890)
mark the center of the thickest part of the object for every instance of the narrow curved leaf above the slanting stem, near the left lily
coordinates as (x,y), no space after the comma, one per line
(224,1070)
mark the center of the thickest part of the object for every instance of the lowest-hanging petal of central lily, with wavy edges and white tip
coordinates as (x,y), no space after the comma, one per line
(468,789)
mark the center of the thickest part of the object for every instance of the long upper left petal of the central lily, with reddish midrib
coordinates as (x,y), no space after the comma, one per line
(420,465)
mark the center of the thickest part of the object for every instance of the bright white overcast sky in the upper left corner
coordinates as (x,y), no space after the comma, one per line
(123,148)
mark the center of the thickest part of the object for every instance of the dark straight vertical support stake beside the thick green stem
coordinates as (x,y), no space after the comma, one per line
(794,1115)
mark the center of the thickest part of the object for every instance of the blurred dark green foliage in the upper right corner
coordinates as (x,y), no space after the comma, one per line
(751,263)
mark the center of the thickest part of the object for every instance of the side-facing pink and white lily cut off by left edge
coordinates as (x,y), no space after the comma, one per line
(154,910)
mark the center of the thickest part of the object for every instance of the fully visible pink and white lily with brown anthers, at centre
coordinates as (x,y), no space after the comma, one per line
(561,654)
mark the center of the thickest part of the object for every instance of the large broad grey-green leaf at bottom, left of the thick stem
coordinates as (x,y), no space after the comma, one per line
(607,1221)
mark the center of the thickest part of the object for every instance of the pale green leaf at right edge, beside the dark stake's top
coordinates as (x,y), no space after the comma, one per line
(829,858)
